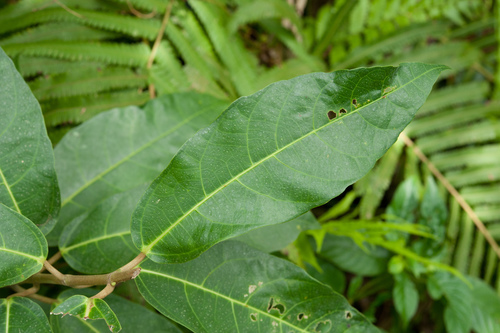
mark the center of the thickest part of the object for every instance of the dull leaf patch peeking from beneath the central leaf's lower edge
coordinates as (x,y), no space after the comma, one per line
(277,237)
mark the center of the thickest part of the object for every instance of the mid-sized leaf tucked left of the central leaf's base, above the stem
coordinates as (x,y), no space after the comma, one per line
(99,241)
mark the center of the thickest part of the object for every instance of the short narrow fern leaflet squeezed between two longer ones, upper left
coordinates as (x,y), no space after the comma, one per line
(31,66)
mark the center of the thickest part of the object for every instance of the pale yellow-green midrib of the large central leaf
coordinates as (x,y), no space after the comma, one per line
(148,248)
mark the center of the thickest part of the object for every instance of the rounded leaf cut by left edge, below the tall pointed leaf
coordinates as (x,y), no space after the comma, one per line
(23,248)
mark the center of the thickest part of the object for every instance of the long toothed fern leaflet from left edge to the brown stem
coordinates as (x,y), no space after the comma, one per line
(109,53)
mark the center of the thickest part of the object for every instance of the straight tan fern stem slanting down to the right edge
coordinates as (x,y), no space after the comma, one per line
(465,206)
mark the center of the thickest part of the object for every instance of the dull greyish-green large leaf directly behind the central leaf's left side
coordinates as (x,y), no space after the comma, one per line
(124,148)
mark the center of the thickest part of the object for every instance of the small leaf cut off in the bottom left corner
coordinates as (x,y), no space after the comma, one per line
(22,315)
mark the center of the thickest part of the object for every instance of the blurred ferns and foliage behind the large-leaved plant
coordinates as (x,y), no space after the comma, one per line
(84,57)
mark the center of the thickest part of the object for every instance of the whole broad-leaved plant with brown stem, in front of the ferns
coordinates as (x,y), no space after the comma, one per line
(267,159)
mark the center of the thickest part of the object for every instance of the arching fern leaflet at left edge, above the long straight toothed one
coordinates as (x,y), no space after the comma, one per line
(58,31)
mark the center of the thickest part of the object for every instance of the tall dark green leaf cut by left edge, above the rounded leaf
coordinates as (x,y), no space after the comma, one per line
(28,182)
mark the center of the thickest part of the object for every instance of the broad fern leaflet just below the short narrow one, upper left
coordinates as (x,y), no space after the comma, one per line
(85,82)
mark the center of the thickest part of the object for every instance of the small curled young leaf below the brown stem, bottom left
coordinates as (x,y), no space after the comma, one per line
(88,308)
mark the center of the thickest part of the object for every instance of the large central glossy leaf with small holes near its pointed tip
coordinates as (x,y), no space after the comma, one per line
(276,154)
